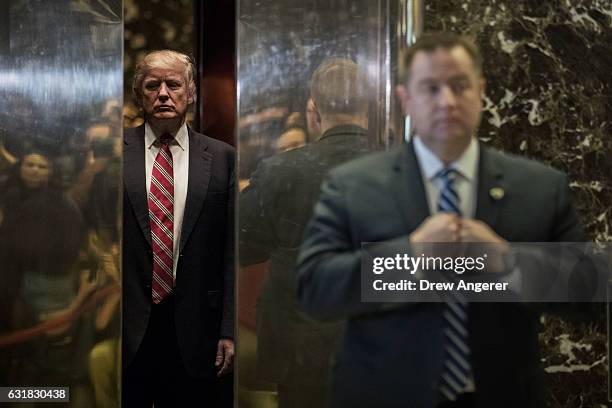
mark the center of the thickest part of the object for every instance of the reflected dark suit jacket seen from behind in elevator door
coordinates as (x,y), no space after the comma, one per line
(274,210)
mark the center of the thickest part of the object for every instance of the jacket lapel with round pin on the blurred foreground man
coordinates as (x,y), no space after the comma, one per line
(491,188)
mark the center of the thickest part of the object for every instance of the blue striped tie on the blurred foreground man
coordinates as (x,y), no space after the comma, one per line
(456,370)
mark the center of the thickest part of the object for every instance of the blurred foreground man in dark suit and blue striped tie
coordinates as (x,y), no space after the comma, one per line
(481,355)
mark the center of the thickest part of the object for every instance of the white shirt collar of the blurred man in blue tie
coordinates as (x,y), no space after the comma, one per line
(466,165)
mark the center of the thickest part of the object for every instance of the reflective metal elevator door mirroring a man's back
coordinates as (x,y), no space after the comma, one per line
(315,83)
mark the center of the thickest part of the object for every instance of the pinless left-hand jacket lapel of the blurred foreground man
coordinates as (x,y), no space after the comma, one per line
(408,188)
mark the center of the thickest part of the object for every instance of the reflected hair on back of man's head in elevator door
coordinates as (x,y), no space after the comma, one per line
(338,87)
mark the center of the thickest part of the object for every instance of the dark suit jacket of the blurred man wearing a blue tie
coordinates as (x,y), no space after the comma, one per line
(394,357)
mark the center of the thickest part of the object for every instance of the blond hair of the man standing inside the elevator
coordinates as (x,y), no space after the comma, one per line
(163,59)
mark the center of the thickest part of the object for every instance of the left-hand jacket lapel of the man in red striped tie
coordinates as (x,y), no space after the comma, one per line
(135,178)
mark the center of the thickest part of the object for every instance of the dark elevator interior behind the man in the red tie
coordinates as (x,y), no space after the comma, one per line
(204,30)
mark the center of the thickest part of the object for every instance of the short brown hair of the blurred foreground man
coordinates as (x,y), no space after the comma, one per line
(432,41)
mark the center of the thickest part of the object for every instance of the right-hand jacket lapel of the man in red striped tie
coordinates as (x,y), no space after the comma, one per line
(200,163)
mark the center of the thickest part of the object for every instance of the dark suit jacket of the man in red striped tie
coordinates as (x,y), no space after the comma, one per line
(204,291)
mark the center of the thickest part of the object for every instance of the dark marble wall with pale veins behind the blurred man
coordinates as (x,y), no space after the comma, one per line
(548,67)
